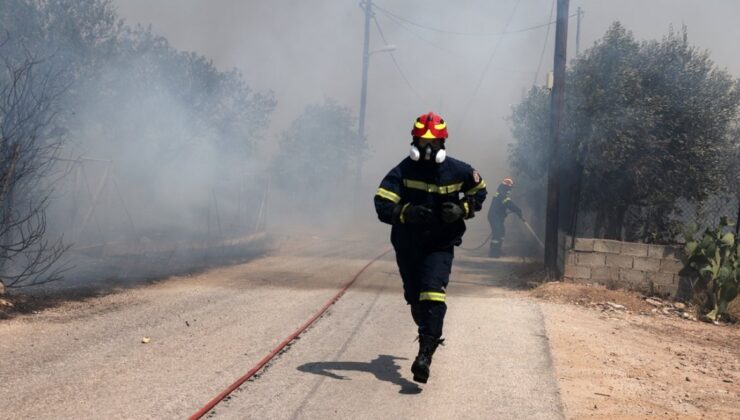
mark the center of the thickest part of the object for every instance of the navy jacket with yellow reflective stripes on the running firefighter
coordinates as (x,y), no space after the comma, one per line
(416,183)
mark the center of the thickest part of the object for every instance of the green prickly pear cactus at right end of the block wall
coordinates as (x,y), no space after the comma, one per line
(712,262)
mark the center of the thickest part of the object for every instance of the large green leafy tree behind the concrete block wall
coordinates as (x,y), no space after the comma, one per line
(647,122)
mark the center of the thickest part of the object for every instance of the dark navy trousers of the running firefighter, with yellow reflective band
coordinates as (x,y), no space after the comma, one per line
(425,277)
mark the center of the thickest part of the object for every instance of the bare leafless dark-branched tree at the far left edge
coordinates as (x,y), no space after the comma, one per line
(30,91)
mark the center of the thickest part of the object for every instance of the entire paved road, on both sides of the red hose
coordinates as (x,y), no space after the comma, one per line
(86,360)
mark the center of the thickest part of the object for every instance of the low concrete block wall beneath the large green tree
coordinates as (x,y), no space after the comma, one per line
(644,267)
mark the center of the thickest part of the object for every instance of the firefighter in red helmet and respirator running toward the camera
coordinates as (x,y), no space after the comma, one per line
(426,199)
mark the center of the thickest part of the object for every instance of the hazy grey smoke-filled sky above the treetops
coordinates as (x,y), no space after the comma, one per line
(448,58)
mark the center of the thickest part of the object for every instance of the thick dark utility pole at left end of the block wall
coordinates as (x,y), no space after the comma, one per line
(556,112)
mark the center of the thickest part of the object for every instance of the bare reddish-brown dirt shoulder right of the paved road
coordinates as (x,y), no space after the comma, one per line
(617,355)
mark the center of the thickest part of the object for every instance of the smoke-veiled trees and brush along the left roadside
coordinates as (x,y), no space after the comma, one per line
(76,81)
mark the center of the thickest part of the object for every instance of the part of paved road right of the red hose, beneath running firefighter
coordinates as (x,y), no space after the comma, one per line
(355,363)
